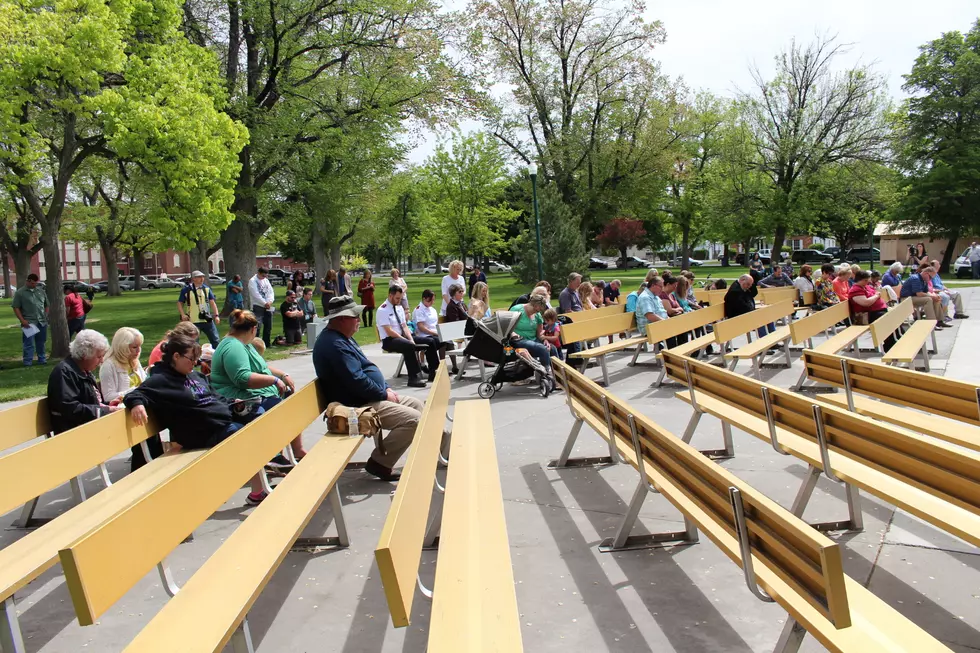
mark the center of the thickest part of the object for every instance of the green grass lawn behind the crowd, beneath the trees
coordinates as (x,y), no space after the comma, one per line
(153,312)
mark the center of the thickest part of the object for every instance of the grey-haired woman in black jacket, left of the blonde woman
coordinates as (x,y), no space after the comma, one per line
(73,394)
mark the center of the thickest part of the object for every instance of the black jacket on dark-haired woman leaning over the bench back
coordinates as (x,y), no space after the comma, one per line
(186,405)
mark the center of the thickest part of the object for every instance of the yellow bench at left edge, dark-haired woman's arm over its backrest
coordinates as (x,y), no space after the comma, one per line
(52,462)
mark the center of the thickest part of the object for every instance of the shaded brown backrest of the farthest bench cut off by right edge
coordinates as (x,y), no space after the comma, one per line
(958,400)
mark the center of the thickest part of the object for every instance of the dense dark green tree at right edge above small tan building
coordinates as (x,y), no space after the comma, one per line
(939,139)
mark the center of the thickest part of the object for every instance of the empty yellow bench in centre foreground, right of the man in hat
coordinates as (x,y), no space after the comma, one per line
(474,604)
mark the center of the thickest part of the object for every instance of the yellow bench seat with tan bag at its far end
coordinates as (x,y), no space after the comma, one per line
(207,610)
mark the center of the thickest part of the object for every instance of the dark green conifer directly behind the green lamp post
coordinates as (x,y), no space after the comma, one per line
(562,244)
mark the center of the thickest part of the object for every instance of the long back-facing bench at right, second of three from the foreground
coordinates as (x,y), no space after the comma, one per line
(932,480)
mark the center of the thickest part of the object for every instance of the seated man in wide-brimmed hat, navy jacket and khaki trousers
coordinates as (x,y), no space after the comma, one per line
(345,374)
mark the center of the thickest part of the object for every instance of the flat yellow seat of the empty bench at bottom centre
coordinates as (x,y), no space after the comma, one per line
(474,608)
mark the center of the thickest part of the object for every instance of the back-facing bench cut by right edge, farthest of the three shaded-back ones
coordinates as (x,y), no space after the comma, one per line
(943,408)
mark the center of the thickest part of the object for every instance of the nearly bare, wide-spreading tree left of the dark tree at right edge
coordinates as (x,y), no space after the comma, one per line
(809,116)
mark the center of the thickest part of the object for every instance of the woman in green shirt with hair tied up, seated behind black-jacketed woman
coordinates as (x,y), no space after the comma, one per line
(240,372)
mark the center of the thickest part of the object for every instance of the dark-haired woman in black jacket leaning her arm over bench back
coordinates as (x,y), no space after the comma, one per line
(181,400)
